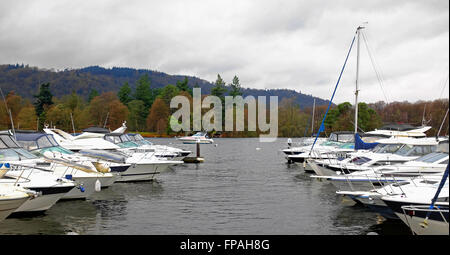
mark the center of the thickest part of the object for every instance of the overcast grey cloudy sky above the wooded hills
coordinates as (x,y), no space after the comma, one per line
(296,44)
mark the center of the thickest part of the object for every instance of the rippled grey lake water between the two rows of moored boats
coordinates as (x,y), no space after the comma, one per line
(238,190)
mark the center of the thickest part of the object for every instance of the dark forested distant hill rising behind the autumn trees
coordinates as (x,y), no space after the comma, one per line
(25,80)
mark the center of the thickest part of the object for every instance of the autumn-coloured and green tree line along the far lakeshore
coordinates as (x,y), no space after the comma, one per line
(146,109)
